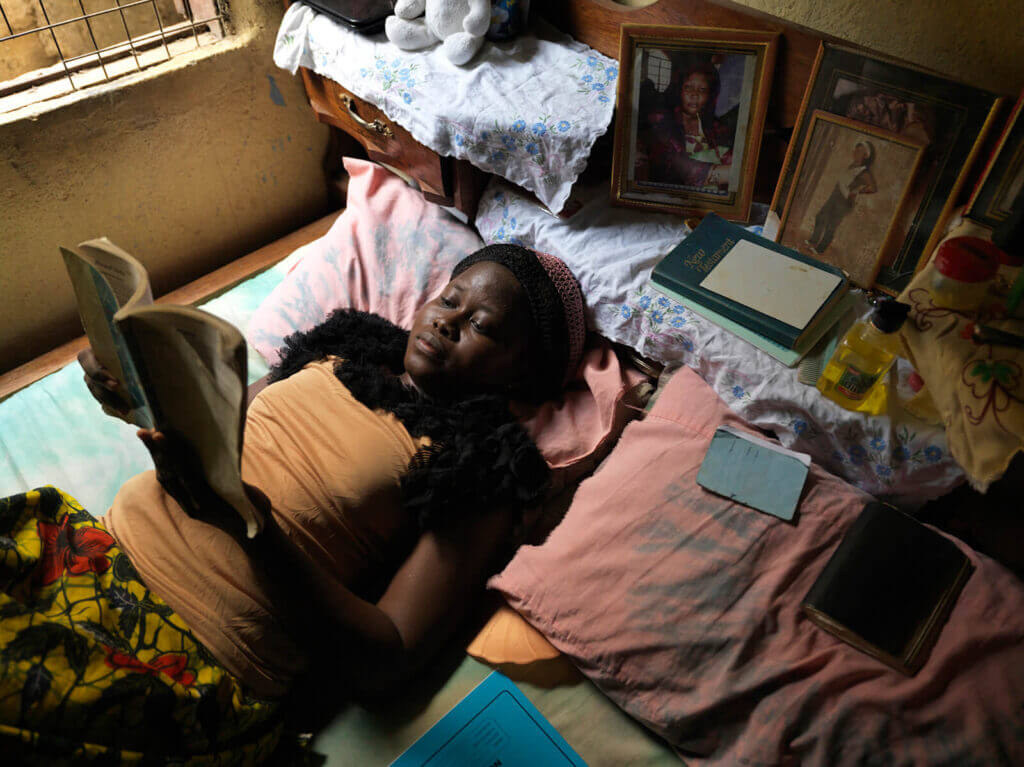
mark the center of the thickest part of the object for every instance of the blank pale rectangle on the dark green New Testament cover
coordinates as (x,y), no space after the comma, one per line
(772,283)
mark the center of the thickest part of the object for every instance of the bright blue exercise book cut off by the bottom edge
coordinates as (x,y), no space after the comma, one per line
(495,725)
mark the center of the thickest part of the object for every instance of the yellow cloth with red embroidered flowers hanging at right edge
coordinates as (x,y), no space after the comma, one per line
(978,390)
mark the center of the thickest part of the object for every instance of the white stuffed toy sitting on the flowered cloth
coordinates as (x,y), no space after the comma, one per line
(460,24)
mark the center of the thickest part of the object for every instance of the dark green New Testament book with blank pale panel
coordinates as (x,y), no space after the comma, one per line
(765,287)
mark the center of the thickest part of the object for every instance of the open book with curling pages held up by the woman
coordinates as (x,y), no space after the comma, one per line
(183,369)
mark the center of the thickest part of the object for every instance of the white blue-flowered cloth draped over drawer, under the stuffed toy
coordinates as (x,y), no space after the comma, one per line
(529,110)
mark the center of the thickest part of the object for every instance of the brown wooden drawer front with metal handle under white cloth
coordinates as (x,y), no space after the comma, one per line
(442,180)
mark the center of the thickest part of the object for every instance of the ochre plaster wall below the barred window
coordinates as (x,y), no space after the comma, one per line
(188,166)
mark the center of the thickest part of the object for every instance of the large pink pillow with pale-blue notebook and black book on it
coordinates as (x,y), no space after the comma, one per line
(685,609)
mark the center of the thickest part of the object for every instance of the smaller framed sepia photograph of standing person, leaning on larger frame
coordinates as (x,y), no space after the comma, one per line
(849,186)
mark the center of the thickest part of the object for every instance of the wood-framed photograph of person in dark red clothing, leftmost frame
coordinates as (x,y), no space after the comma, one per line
(691,116)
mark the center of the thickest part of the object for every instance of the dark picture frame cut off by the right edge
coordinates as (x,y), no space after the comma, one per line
(1003,180)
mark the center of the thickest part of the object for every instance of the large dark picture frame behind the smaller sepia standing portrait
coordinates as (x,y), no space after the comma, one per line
(952,118)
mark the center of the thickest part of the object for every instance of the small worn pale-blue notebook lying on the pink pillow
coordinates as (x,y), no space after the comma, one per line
(754,473)
